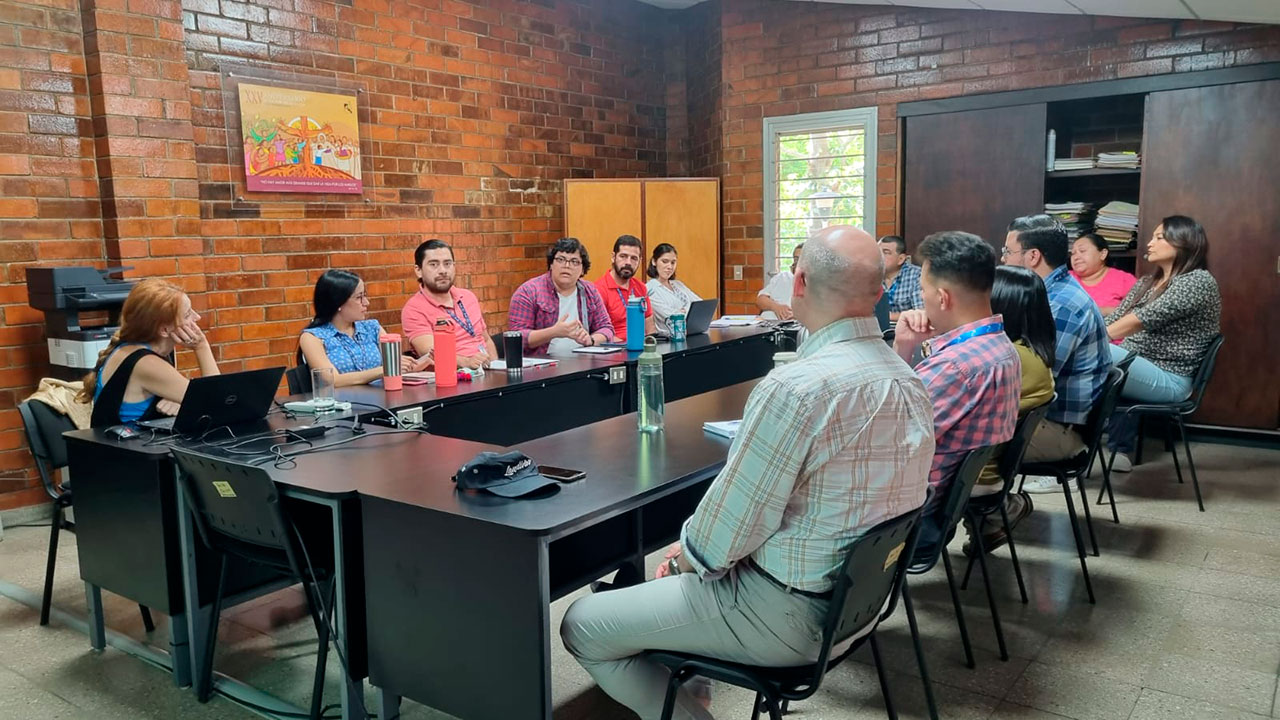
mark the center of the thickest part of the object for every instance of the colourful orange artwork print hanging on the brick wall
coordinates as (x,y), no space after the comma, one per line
(300,142)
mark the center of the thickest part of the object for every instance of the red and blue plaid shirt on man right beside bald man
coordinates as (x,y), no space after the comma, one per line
(975,385)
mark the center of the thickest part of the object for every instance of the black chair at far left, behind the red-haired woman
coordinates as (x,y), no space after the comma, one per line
(44,429)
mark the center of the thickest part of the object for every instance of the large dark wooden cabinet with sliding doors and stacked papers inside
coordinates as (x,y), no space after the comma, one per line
(1209,151)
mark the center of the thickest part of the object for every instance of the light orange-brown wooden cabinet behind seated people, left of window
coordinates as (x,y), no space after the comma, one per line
(684,212)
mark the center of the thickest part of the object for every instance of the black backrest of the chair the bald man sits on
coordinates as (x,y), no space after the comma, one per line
(867,587)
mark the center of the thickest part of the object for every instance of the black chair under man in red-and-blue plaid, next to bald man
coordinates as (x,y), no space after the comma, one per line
(949,516)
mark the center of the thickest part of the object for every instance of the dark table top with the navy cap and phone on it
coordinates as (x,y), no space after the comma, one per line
(623,466)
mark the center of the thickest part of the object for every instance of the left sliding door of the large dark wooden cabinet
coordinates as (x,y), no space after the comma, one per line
(973,171)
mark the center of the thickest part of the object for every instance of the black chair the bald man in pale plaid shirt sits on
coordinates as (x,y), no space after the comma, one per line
(865,595)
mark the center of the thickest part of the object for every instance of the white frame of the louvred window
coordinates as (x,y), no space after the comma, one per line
(816,122)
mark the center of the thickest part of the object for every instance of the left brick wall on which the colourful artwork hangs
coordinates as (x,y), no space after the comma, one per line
(474,112)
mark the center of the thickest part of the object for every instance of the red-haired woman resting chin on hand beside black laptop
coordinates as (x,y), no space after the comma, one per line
(134,379)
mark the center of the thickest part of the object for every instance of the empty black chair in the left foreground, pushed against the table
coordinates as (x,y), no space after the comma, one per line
(237,512)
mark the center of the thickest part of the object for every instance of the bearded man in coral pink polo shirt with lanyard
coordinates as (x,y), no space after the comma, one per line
(433,265)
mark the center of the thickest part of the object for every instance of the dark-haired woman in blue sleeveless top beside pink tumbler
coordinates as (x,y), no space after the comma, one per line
(341,338)
